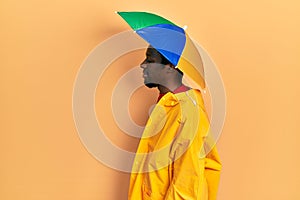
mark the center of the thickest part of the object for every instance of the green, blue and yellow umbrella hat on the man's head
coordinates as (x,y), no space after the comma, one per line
(170,40)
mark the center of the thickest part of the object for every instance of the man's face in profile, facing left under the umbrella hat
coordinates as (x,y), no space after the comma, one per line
(153,70)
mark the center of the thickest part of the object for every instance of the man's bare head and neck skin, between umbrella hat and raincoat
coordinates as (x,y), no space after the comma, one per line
(165,77)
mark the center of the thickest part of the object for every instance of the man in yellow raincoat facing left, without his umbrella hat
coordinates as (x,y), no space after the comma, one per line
(172,161)
